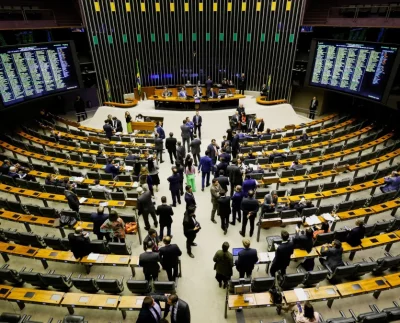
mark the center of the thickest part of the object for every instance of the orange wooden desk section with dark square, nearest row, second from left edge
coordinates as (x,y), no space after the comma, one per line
(34,296)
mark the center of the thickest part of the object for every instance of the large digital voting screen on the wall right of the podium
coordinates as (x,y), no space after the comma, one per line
(356,68)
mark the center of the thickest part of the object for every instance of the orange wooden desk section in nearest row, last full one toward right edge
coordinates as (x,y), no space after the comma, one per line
(374,285)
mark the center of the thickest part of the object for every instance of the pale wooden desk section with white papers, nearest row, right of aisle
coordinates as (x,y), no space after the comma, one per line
(324,293)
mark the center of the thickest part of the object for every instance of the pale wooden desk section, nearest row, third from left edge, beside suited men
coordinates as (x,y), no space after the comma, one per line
(94,301)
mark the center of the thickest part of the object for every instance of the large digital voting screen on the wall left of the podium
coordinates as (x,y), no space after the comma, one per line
(32,71)
